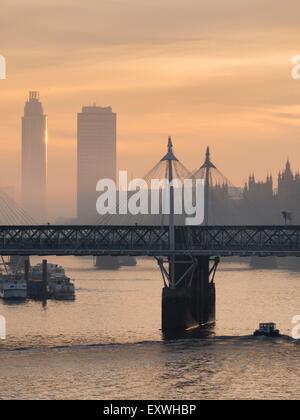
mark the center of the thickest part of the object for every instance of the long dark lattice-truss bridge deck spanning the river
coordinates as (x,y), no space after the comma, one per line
(150,240)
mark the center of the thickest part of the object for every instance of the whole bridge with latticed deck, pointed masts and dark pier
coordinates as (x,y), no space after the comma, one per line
(188,256)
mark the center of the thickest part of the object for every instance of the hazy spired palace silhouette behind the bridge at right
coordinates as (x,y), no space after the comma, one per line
(260,202)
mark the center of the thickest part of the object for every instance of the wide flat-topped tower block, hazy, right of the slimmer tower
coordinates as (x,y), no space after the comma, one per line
(96,156)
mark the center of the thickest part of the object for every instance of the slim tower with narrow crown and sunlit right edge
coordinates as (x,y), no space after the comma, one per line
(34,158)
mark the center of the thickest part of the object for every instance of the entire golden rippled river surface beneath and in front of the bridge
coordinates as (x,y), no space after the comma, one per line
(108,344)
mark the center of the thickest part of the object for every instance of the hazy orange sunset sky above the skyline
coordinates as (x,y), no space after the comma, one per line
(212,73)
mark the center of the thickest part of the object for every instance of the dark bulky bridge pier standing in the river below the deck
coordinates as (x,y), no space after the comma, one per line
(192,303)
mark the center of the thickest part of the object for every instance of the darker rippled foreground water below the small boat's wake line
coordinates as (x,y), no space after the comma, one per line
(177,369)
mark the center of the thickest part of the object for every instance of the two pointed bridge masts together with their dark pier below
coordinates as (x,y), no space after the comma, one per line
(188,296)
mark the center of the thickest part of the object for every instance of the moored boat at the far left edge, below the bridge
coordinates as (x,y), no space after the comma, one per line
(13,287)
